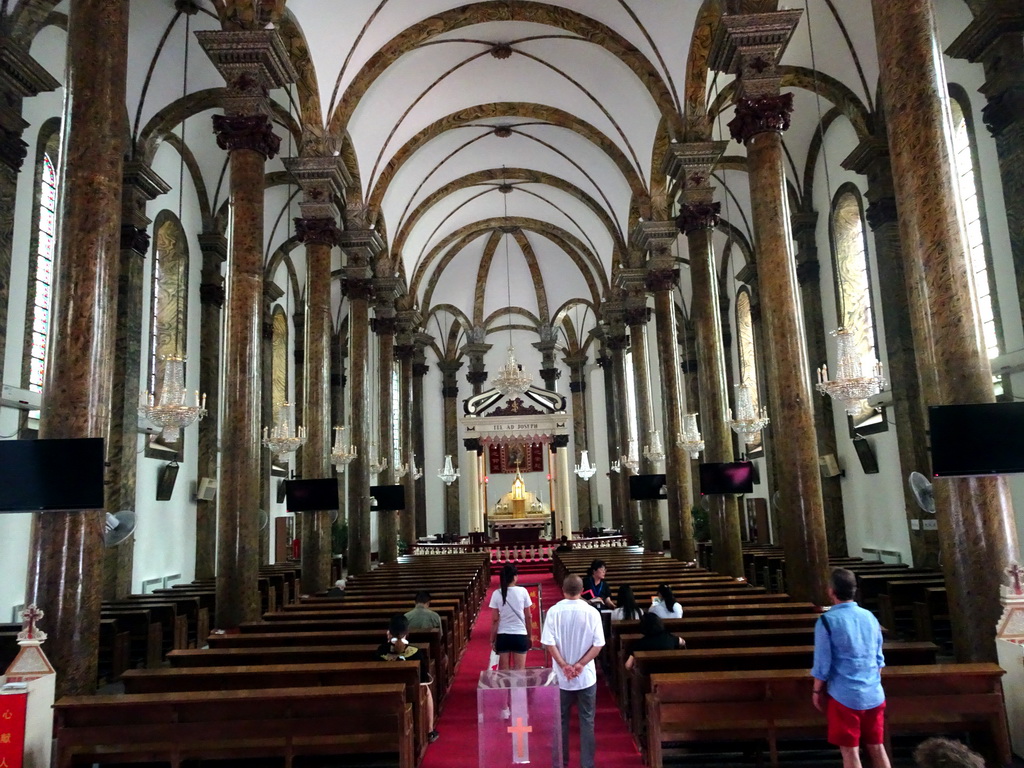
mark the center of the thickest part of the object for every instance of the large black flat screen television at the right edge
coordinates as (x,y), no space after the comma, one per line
(977,440)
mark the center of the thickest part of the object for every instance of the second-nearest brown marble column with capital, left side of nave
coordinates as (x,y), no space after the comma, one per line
(252,63)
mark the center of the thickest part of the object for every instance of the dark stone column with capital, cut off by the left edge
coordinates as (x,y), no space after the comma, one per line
(21,77)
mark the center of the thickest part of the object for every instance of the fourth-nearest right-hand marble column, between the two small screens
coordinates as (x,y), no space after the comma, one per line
(658,239)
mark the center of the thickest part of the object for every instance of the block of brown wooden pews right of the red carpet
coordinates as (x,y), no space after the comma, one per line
(744,680)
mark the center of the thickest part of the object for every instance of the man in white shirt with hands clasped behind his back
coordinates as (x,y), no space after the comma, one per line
(574,636)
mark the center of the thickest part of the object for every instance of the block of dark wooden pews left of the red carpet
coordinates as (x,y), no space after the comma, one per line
(305,684)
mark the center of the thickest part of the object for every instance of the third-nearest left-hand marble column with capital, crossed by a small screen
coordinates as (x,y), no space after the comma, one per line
(323,181)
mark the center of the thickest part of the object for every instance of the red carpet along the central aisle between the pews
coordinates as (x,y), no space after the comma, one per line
(458,749)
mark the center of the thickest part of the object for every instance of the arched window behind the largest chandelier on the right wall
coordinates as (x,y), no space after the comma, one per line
(854,287)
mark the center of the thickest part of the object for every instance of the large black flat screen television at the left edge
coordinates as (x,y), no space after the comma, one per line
(52,476)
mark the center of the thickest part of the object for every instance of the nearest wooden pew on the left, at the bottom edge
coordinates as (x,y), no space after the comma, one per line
(283,723)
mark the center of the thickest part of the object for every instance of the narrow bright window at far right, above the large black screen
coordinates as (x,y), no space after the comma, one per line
(966,162)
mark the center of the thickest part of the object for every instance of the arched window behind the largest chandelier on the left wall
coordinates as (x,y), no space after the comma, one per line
(168,312)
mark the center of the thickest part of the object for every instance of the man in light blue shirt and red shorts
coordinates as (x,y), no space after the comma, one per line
(847,674)
